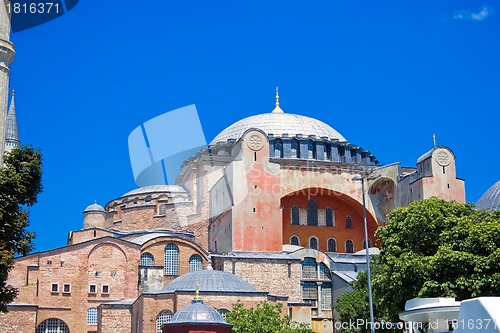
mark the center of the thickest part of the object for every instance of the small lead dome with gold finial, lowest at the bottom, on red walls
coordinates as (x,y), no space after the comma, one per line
(197,313)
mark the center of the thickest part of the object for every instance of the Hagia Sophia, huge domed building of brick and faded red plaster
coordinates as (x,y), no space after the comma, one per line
(270,210)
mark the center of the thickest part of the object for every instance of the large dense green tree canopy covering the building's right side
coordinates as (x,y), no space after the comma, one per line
(431,248)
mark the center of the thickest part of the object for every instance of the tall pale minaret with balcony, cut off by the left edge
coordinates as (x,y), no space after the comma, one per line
(7,52)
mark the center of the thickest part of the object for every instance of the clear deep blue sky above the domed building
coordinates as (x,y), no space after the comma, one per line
(385,74)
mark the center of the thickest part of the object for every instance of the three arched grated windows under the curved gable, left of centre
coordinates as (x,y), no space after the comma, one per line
(171,260)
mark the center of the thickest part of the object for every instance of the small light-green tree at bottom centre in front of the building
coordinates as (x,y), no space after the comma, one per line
(264,318)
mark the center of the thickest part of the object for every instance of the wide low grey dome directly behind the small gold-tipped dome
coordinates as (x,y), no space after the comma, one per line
(209,280)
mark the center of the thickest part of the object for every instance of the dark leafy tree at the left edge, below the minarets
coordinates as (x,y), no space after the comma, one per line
(20,183)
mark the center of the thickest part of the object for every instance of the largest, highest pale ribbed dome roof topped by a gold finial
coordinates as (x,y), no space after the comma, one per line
(279,124)
